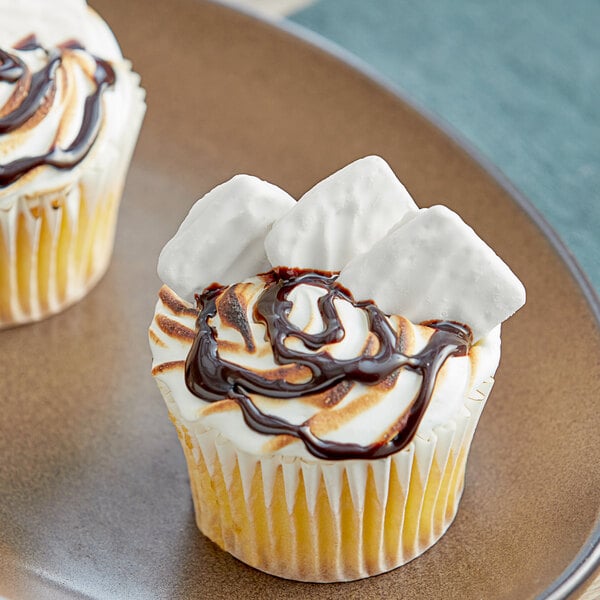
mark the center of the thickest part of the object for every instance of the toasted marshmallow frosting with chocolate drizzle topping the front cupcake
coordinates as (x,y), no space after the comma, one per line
(309,409)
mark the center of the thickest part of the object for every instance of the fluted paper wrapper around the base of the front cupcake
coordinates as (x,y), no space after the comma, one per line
(324,521)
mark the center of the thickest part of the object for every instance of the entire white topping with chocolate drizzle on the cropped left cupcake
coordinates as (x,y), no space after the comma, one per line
(65,94)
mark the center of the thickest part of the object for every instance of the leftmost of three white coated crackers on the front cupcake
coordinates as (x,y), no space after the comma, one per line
(221,239)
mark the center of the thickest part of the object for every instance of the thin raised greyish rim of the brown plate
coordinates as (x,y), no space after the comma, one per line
(587,561)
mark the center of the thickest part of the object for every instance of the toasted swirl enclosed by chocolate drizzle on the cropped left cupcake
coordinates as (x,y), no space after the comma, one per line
(51,102)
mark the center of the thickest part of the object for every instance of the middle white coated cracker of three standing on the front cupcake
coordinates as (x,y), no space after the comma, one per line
(340,217)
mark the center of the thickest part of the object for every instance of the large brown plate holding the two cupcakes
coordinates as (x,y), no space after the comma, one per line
(94,497)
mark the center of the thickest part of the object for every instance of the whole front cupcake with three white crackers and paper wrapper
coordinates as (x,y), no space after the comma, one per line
(326,367)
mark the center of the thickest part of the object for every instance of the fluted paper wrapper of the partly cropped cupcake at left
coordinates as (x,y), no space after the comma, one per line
(56,244)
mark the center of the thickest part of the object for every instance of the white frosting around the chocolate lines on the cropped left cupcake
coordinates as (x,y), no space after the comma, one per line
(53,23)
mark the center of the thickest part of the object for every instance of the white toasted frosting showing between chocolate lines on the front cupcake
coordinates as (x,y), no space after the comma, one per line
(364,414)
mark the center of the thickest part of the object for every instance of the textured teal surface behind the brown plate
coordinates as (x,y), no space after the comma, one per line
(519,80)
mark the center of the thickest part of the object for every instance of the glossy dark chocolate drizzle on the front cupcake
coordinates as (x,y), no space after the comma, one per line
(212,379)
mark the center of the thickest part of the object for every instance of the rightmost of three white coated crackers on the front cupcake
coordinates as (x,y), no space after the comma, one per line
(434,266)
